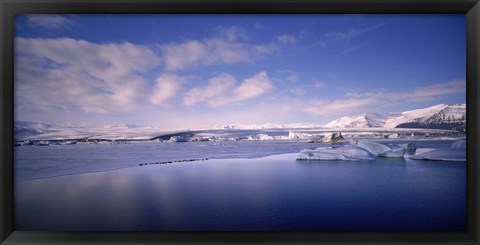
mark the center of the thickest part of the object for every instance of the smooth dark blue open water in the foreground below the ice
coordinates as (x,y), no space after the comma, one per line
(275,193)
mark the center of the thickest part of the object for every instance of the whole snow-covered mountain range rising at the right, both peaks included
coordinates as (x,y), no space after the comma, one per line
(440,116)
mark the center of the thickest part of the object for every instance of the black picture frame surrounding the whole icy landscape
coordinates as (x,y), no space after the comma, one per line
(471,8)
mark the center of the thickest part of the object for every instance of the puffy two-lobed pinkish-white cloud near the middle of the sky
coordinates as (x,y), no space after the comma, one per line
(223,90)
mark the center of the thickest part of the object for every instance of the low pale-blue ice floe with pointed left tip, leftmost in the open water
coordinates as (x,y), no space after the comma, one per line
(347,152)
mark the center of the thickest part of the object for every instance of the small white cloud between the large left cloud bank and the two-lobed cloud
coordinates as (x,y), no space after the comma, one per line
(166,87)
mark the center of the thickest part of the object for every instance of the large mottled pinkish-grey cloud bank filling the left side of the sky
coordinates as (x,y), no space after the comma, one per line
(69,74)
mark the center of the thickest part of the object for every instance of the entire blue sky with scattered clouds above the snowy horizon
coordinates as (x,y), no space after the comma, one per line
(193,71)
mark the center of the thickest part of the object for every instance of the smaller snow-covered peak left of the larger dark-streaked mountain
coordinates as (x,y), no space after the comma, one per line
(366,120)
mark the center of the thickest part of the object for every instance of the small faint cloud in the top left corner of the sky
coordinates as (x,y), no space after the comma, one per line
(49,21)
